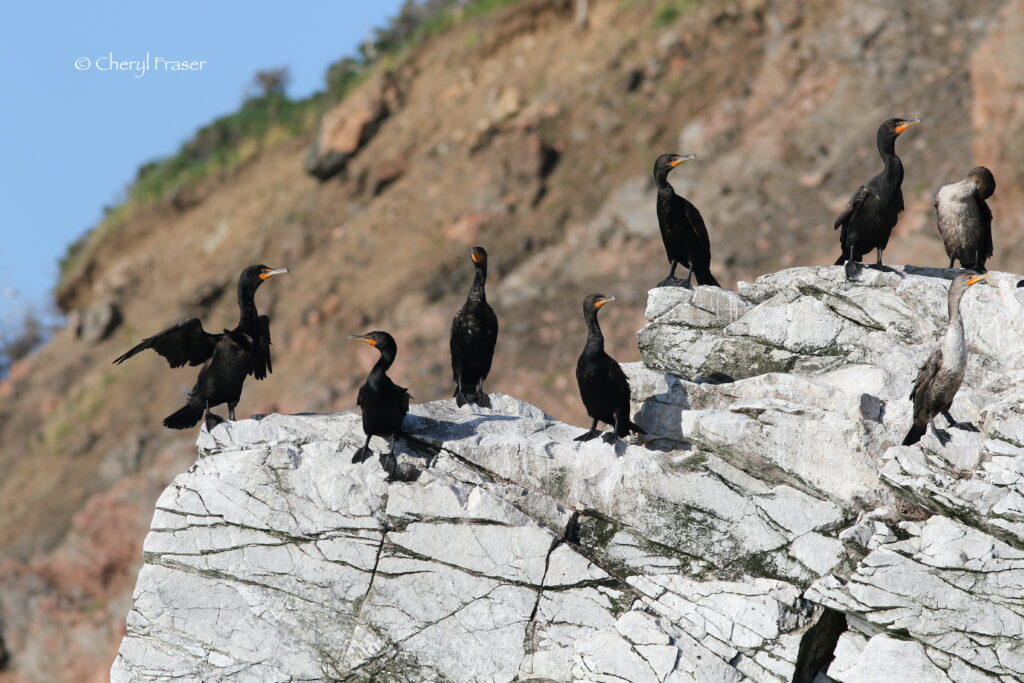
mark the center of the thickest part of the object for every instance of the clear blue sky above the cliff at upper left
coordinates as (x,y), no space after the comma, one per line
(72,140)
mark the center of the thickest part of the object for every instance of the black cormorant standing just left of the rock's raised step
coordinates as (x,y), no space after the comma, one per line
(604,387)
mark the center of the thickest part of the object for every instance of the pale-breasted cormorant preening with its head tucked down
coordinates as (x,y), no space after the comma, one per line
(965,221)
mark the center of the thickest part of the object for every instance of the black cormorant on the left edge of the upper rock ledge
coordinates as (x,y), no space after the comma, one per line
(684,231)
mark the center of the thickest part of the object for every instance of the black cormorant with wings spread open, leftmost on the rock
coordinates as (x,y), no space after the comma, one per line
(227,358)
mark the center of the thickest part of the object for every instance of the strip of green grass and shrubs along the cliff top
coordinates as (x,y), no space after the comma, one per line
(267,120)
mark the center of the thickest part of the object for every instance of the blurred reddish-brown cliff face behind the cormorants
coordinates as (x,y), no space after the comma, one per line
(521,132)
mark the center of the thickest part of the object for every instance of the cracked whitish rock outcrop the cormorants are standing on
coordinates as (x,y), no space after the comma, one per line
(766,530)
